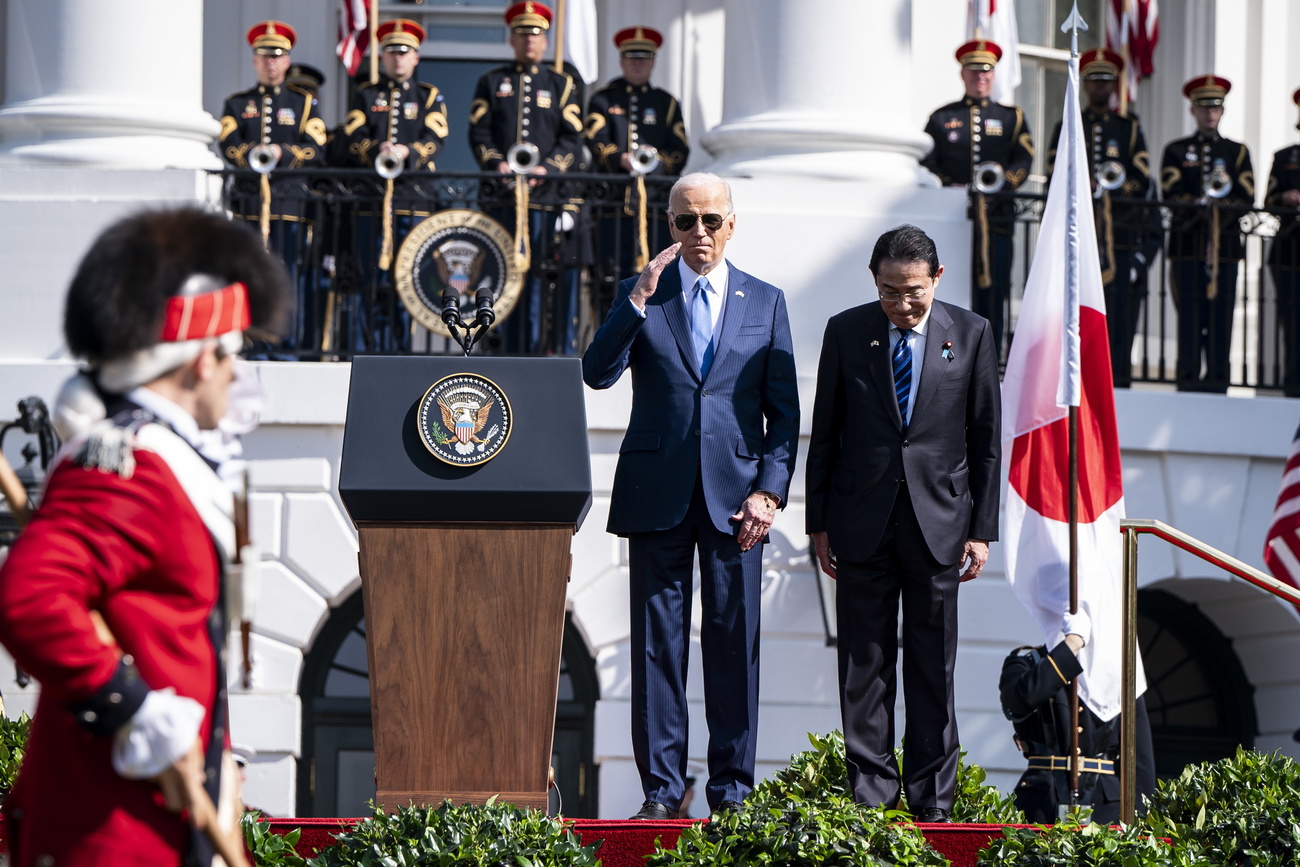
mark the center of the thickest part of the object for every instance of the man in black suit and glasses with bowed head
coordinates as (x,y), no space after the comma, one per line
(903,489)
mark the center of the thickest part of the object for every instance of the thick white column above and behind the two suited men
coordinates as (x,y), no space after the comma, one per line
(820,89)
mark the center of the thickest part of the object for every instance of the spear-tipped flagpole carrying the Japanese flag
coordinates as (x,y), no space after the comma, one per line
(1074,24)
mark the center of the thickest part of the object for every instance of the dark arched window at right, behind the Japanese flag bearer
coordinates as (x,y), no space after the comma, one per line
(1201,704)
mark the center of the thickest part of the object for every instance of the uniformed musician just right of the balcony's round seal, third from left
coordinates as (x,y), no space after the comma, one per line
(527,102)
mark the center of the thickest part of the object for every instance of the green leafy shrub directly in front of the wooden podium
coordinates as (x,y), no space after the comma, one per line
(491,835)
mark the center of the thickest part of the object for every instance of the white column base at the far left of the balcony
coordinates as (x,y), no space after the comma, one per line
(106,84)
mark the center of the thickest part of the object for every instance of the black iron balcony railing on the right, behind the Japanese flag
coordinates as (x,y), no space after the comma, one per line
(1167,250)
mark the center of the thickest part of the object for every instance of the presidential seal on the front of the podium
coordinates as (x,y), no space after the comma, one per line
(465,421)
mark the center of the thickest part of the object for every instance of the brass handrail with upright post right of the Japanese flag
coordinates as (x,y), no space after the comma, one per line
(1133,528)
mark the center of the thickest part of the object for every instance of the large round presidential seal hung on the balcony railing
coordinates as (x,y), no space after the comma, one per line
(461,250)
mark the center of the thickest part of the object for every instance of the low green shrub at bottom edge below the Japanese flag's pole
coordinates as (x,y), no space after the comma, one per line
(1086,847)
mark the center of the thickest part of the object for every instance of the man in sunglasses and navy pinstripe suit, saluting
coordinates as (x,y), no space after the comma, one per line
(705,465)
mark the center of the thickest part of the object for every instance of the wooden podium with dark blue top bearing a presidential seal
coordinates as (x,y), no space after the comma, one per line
(465,567)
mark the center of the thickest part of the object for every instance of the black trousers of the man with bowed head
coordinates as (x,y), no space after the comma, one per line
(868,599)
